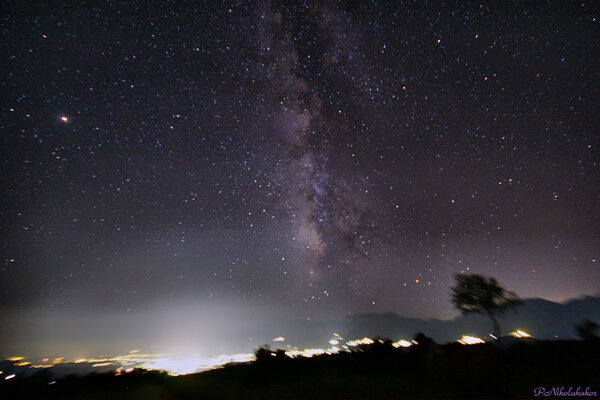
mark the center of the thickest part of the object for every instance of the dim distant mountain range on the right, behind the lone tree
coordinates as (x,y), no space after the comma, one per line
(541,318)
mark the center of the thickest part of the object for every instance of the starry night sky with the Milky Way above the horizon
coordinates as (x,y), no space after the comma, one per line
(303,159)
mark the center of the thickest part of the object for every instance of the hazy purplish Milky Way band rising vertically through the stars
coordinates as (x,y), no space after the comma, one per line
(328,217)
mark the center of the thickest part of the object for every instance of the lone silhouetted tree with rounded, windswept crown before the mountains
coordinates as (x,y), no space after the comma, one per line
(478,294)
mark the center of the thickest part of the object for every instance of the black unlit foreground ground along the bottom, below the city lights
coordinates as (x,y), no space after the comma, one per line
(378,371)
